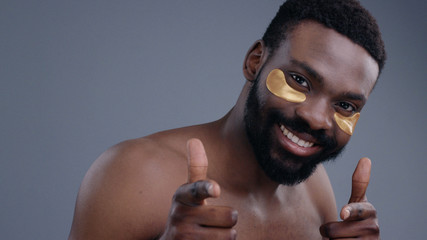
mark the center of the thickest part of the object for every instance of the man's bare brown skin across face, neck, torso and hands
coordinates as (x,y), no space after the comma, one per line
(137,190)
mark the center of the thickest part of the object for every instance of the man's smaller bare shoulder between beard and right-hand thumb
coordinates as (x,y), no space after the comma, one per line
(322,194)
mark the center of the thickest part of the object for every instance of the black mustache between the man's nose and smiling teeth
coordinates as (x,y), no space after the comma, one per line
(300,125)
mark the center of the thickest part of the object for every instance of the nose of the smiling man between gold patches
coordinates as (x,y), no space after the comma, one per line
(317,113)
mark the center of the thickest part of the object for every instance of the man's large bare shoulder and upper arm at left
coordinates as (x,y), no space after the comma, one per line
(126,193)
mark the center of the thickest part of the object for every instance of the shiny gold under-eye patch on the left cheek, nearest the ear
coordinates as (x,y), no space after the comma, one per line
(276,84)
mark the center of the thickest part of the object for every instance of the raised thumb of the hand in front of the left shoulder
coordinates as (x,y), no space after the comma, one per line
(197,161)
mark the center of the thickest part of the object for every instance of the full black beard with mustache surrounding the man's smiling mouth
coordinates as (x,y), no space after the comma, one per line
(277,163)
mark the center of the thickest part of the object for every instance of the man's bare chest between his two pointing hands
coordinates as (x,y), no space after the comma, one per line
(296,218)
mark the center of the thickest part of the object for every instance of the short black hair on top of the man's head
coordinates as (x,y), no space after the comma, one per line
(347,17)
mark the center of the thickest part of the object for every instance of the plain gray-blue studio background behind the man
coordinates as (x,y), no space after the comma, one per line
(80,76)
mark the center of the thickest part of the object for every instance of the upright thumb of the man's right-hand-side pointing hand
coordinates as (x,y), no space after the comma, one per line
(360,180)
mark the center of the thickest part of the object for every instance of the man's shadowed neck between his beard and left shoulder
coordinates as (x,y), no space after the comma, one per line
(236,165)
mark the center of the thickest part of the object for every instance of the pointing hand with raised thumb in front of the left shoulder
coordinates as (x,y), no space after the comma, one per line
(190,217)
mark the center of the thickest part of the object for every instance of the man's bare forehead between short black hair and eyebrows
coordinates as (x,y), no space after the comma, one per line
(334,57)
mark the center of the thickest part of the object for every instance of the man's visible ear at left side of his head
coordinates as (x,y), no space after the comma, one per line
(254,60)
